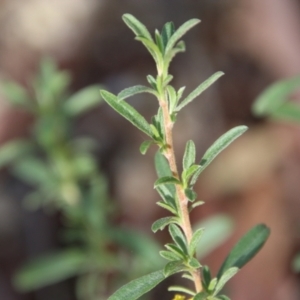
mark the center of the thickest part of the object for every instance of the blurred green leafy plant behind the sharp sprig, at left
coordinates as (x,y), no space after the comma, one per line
(63,175)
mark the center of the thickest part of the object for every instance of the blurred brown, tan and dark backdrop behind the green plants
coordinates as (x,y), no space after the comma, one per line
(256,180)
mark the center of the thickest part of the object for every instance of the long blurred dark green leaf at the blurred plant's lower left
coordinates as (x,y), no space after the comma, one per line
(49,269)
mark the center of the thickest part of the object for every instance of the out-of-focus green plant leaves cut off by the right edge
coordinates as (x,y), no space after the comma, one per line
(274,103)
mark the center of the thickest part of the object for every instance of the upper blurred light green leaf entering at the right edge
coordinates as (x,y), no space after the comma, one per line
(274,96)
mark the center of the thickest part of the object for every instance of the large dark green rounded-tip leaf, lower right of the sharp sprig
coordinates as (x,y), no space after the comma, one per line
(246,248)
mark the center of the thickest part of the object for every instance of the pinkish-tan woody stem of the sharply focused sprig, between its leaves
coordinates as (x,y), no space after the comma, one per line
(182,199)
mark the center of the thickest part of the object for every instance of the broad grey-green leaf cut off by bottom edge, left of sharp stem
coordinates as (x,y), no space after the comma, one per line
(138,287)
